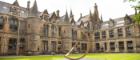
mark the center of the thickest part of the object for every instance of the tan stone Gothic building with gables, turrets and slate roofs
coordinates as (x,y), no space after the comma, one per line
(28,31)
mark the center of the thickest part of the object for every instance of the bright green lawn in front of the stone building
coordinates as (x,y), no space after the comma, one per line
(94,56)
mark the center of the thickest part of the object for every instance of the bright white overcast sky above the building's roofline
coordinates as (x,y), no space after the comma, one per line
(107,8)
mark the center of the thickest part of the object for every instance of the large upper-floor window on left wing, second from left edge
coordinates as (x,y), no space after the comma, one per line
(13,24)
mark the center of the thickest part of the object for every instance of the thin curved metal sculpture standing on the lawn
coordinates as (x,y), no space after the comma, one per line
(81,57)
